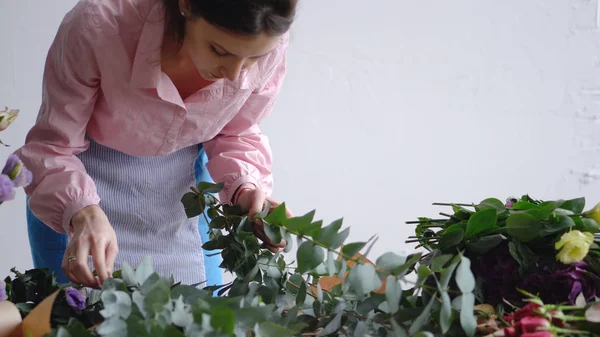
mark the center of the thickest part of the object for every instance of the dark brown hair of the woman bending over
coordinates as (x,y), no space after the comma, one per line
(249,17)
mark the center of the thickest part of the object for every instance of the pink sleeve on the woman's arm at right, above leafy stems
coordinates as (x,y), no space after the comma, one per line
(241,153)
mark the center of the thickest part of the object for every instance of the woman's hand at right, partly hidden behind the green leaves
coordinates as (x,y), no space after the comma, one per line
(252,200)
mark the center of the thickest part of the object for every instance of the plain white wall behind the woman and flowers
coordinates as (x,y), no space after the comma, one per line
(391,105)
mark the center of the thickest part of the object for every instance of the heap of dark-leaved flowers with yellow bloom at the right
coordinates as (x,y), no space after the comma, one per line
(536,263)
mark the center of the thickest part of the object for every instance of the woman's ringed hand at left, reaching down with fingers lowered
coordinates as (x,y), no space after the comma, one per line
(93,235)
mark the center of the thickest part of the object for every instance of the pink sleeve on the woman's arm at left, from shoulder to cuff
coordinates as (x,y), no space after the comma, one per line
(71,79)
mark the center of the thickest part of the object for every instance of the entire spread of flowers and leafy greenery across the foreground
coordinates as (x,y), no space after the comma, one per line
(332,289)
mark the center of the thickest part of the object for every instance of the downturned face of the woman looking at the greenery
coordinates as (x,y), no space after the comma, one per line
(217,53)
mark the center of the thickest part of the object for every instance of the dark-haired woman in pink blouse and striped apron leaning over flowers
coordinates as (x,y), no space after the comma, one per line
(134,92)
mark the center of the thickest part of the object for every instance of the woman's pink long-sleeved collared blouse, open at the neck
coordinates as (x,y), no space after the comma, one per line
(103,79)
